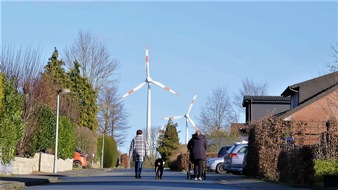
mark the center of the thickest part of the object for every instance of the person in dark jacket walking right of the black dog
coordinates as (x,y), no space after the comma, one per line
(197,146)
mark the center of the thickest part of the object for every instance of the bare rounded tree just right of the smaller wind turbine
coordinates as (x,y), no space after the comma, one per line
(217,113)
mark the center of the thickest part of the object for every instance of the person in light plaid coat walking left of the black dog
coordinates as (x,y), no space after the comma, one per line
(138,151)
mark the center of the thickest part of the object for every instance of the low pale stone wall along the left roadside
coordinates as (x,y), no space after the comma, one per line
(41,162)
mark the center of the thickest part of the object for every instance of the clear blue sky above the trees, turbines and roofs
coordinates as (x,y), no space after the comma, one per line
(194,46)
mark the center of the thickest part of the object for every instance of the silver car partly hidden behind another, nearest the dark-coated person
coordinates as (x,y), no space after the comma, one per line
(216,164)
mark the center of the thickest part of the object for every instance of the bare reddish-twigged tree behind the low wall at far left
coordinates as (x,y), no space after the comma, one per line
(25,65)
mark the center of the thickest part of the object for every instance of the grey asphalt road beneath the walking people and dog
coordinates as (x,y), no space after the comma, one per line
(123,179)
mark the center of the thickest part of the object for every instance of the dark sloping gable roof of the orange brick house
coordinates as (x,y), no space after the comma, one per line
(313,87)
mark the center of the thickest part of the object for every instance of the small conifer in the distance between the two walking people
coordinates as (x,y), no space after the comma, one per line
(169,141)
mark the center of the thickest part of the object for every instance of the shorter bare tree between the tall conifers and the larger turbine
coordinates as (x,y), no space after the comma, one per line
(111,116)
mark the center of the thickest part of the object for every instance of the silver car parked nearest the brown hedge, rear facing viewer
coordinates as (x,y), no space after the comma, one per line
(233,161)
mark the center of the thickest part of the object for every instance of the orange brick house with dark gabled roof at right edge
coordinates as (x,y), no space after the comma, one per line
(313,102)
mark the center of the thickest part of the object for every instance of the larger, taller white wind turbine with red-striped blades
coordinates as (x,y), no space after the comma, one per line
(148,80)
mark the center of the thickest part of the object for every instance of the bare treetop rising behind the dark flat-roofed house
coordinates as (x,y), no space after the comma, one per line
(251,88)
